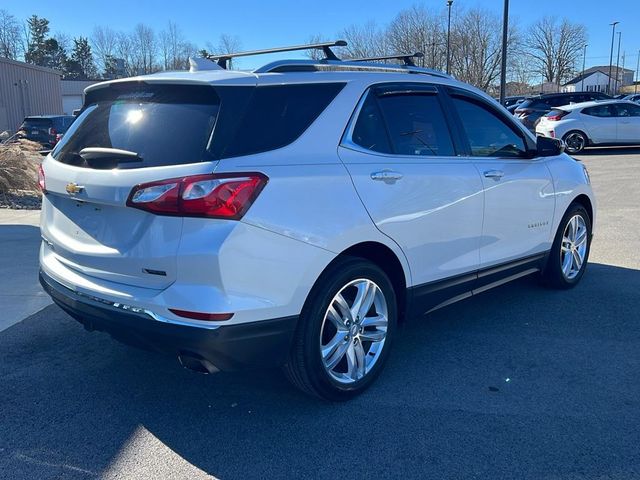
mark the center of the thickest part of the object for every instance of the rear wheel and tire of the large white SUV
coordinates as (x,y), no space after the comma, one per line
(358,347)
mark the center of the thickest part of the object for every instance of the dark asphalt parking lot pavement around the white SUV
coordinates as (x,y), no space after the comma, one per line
(519,382)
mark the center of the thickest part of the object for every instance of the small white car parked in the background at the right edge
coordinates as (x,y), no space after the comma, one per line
(609,122)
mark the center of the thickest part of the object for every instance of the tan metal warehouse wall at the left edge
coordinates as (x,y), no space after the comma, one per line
(27,90)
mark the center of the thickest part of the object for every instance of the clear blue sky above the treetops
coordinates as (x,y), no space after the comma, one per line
(261,24)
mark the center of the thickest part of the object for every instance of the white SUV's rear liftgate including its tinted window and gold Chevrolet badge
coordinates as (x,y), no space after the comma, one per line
(86,225)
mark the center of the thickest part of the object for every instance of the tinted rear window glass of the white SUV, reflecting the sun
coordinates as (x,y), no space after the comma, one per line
(164,126)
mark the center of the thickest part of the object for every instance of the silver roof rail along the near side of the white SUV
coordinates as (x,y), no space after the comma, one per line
(281,66)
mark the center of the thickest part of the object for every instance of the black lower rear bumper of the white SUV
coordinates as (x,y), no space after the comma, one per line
(248,345)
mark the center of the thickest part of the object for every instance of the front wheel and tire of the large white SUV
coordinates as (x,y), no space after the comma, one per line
(558,272)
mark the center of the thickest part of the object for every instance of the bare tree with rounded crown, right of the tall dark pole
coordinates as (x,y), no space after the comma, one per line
(555,47)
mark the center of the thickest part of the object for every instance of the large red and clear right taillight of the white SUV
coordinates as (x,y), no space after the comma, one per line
(227,195)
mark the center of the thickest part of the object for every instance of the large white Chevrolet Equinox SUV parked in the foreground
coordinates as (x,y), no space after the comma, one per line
(295,215)
